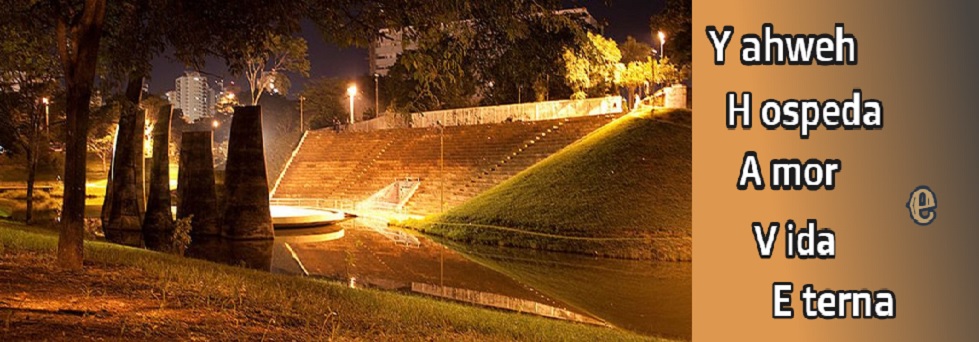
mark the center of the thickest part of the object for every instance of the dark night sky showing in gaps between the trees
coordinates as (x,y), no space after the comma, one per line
(621,18)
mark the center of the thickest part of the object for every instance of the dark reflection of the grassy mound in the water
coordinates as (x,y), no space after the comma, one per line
(647,297)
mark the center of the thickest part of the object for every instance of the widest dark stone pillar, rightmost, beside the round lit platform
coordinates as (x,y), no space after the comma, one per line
(246,214)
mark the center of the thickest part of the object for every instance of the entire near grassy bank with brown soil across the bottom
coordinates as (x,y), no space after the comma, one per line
(126,294)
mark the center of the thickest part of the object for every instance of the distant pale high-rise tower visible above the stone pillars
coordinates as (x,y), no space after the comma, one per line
(193,96)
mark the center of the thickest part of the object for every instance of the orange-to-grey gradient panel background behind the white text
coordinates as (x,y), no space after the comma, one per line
(919,59)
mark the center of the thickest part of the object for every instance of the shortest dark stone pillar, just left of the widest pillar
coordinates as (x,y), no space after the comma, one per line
(196,191)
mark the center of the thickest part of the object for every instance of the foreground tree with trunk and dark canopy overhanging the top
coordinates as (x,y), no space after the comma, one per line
(126,34)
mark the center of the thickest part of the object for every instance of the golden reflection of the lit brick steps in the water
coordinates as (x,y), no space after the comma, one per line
(381,257)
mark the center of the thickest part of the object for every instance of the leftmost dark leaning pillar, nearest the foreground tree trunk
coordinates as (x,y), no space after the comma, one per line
(124,217)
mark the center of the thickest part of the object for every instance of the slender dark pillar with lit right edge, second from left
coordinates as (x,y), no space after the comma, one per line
(158,223)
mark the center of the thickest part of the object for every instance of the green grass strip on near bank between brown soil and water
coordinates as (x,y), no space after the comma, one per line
(302,303)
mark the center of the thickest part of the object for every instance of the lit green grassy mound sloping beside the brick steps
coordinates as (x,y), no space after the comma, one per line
(622,191)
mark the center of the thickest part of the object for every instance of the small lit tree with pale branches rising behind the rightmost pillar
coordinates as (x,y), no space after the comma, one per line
(266,63)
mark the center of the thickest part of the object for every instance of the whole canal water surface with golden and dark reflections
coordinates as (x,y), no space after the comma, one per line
(651,298)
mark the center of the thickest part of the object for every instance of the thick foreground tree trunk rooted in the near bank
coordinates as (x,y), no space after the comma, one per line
(79,55)
